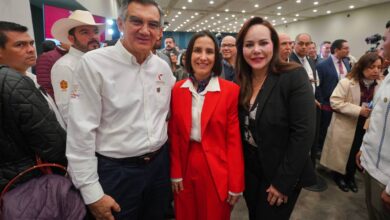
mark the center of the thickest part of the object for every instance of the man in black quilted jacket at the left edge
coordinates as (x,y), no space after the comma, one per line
(29,125)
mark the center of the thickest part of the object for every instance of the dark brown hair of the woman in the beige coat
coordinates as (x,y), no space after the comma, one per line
(363,63)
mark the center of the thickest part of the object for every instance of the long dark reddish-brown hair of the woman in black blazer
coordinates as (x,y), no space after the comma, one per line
(244,71)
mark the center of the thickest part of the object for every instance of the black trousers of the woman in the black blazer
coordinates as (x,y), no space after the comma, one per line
(256,196)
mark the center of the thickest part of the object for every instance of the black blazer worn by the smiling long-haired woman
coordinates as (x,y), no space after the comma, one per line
(284,130)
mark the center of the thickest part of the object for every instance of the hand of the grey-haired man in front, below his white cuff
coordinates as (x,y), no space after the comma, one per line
(102,209)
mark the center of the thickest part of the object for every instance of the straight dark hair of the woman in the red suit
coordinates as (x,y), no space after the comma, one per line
(217,68)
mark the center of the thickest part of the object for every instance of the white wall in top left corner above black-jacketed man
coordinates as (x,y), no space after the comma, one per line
(17,11)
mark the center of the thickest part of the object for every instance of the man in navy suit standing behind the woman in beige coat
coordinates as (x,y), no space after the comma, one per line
(330,71)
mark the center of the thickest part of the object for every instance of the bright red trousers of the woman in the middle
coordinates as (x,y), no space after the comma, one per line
(199,200)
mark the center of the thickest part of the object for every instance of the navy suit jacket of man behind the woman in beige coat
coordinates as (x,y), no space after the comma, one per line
(329,78)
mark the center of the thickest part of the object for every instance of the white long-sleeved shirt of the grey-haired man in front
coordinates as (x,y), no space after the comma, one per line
(118,108)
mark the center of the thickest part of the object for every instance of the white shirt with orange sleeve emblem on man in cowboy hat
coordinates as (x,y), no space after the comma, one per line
(62,77)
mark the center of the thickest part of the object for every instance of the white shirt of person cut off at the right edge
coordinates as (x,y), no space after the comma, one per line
(376,142)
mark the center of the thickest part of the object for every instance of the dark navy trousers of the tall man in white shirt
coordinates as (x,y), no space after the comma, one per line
(141,190)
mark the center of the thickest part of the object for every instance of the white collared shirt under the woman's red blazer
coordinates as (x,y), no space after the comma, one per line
(197,105)
